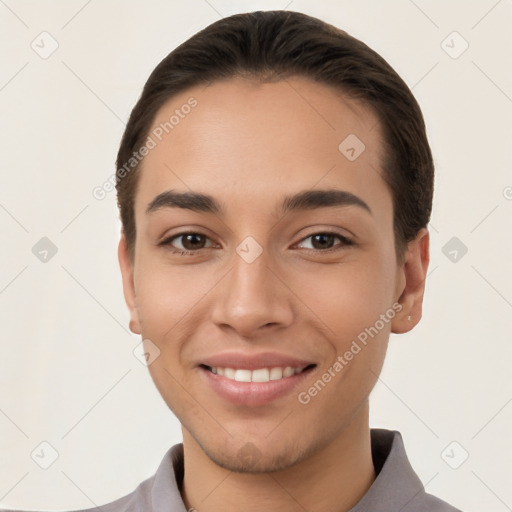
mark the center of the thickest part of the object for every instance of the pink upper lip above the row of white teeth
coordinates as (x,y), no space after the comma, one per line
(254,361)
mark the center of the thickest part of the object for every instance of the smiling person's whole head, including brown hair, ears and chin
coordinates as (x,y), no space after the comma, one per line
(275,133)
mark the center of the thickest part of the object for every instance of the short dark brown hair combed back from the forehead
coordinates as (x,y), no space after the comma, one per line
(272,45)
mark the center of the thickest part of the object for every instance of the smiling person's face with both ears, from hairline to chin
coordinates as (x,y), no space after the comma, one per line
(276,277)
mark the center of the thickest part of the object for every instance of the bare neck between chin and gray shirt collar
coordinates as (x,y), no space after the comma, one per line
(334,478)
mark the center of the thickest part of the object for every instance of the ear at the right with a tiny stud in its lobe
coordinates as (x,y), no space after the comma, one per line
(412,277)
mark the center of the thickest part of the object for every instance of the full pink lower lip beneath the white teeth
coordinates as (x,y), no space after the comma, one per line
(253,393)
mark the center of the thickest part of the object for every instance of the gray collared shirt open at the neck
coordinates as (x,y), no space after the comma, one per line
(397,488)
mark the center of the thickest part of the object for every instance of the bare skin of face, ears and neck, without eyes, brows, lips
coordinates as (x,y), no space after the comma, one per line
(248,145)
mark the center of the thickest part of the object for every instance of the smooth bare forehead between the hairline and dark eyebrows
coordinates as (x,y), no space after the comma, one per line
(243,140)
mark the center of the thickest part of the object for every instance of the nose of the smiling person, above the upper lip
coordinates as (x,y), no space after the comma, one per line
(253,297)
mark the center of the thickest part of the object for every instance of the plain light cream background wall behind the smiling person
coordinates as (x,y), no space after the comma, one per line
(68,375)
